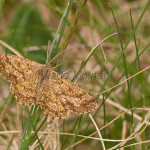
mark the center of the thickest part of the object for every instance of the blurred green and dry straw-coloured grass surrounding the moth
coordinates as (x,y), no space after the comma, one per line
(122,119)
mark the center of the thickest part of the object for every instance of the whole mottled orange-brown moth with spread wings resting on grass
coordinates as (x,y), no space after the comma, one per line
(37,84)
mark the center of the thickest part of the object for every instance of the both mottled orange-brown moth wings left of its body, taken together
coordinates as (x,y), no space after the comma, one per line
(23,75)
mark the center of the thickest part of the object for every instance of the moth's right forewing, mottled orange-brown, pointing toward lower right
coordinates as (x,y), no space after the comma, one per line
(68,95)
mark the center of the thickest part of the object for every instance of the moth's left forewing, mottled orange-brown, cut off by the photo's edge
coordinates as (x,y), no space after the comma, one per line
(17,69)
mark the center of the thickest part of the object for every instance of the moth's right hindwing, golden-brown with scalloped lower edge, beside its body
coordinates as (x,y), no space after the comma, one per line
(49,101)
